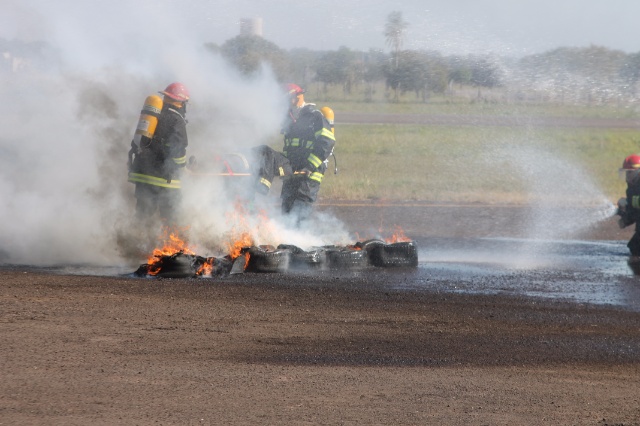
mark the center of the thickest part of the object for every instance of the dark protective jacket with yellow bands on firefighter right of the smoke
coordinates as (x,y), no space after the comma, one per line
(308,142)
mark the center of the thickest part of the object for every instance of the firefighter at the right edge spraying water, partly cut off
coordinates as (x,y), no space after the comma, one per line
(629,206)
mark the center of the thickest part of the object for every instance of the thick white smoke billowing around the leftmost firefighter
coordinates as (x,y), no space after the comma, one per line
(67,130)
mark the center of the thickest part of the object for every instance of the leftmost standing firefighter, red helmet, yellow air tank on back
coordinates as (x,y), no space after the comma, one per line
(158,153)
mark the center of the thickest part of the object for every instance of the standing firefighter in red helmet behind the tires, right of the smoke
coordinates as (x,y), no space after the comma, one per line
(308,143)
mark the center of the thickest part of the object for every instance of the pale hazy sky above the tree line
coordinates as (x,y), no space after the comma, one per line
(516,28)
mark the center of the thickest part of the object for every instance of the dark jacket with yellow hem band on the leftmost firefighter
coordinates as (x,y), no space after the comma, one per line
(159,159)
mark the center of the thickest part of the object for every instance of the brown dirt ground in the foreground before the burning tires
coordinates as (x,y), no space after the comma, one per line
(328,349)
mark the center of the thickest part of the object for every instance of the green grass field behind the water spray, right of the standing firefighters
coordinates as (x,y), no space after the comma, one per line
(490,164)
